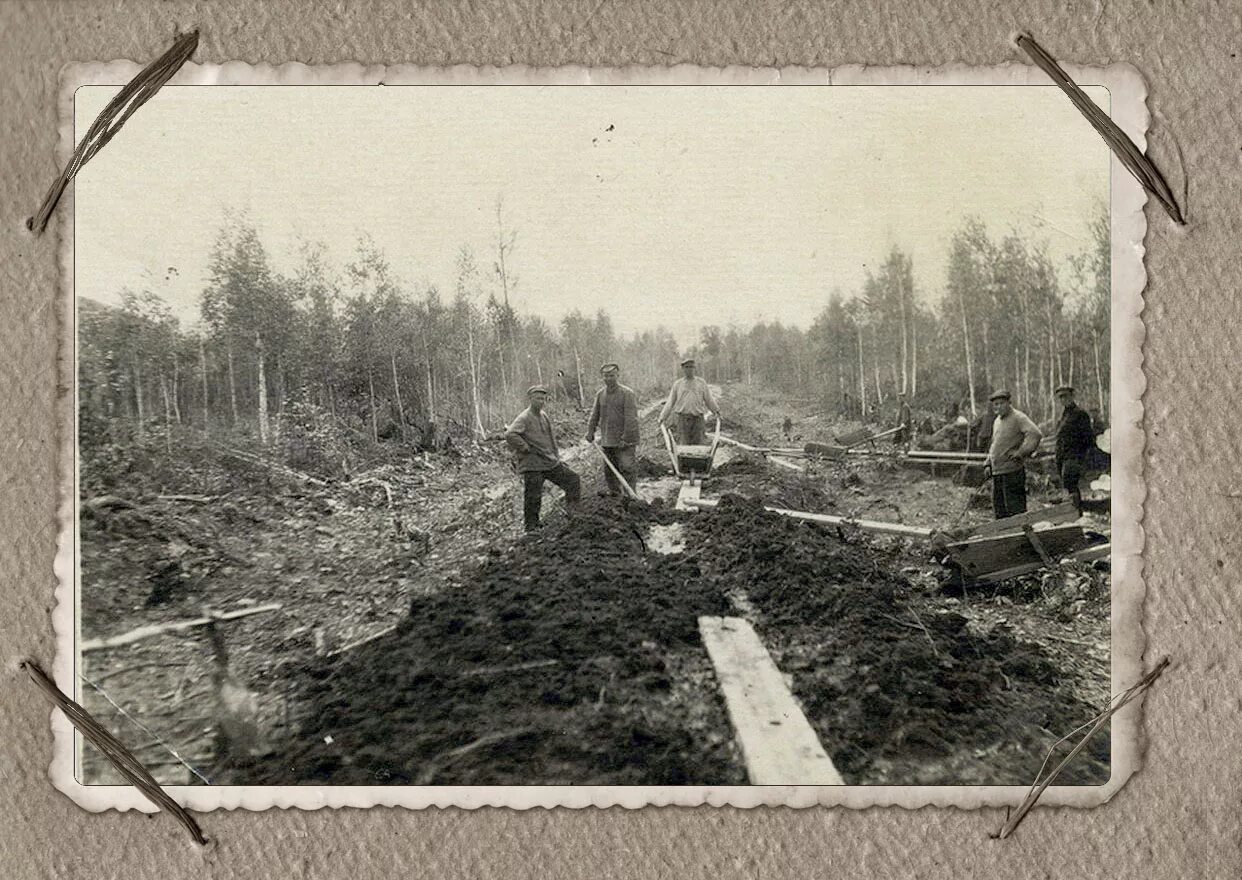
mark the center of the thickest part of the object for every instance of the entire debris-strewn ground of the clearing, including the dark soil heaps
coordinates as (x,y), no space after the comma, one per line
(573,657)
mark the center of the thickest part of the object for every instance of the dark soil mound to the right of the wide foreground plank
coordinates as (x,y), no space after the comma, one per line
(897,689)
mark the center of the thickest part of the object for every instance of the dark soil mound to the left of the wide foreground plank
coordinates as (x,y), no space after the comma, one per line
(561,662)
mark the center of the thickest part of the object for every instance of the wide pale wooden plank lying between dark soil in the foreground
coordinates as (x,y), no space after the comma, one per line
(777,740)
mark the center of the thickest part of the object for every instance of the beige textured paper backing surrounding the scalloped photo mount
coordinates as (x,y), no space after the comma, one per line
(1178,817)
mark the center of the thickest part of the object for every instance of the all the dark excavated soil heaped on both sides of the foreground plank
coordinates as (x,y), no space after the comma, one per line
(576,660)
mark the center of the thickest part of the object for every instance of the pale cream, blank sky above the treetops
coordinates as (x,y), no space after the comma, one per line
(680,207)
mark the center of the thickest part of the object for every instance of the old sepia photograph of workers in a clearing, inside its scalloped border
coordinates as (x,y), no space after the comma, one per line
(630,435)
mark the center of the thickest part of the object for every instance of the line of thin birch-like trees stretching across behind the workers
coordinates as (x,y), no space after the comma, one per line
(357,347)
